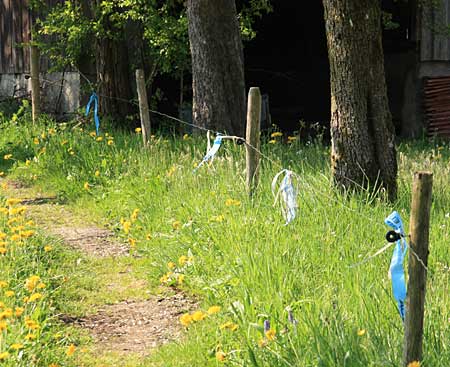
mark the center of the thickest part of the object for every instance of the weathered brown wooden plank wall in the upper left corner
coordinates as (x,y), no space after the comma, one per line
(15,31)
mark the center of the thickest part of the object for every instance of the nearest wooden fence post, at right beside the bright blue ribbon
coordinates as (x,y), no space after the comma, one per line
(419,228)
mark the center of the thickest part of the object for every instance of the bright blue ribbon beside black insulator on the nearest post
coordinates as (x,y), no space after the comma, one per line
(396,269)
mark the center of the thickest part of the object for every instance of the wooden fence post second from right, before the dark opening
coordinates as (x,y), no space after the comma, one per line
(253,138)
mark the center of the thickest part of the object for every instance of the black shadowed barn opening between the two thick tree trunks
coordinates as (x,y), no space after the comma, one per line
(288,60)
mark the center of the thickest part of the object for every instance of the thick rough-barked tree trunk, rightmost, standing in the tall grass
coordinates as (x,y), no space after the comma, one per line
(363,148)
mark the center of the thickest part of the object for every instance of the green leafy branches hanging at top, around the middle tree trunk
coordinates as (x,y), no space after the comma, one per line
(66,34)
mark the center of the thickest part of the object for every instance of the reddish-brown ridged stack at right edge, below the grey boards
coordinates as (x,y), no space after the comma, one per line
(437,105)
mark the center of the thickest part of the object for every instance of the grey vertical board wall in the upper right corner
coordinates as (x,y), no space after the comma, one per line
(435,41)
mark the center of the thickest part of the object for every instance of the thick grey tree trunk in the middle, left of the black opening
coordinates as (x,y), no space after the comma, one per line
(217,65)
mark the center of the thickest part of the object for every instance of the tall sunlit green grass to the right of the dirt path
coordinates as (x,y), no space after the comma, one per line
(240,256)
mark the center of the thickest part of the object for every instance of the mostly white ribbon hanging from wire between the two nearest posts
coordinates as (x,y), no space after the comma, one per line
(288,194)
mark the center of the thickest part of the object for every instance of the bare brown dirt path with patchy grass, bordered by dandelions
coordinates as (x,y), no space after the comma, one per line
(129,326)
